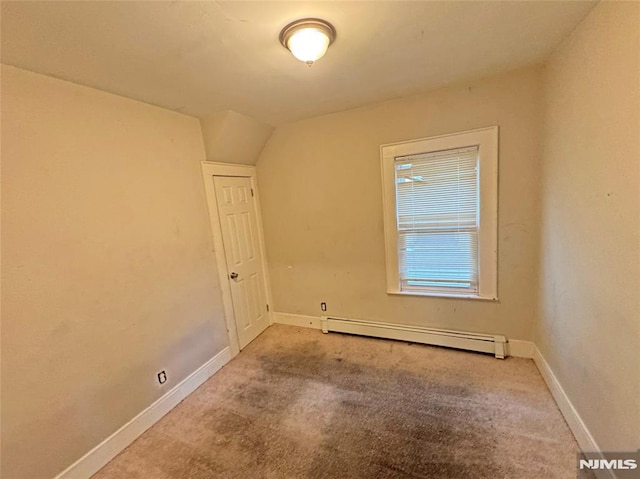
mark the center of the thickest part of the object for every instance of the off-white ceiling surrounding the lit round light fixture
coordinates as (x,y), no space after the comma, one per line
(203,57)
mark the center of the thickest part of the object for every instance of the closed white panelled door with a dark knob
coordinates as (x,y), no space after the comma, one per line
(239,225)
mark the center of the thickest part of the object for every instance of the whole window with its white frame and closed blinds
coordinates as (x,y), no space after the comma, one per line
(440,212)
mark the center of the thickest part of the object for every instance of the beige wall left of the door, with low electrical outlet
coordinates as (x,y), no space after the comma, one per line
(107,270)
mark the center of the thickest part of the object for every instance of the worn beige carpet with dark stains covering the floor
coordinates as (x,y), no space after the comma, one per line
(297,403)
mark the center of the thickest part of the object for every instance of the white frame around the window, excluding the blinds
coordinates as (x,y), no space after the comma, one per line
(487,141)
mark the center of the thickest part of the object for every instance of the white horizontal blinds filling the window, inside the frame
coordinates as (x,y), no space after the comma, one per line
(437,220)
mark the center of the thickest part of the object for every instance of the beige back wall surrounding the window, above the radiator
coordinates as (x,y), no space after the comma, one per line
(320,189)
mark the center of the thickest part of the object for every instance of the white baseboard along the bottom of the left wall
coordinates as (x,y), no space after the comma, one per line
(100,455)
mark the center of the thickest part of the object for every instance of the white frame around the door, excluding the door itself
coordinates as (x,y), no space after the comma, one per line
(210,169)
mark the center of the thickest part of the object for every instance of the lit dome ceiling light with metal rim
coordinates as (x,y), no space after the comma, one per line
(308,39)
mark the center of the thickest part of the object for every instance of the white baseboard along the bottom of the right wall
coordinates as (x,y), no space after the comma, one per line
(579,429)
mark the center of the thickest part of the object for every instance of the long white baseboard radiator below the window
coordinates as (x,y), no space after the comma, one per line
(484,343)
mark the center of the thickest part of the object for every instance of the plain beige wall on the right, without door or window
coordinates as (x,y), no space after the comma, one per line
(589,329)
